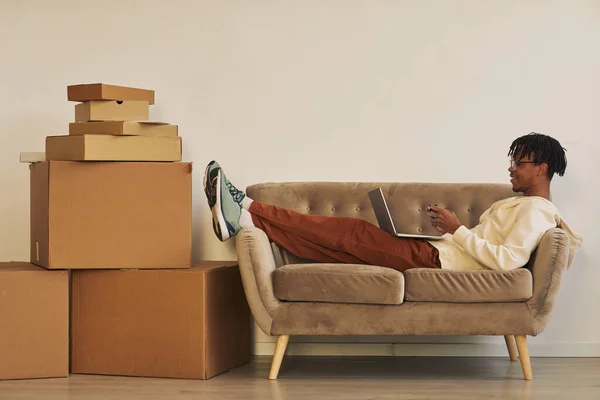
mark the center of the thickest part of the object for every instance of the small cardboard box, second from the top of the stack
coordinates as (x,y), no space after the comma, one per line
(106,110)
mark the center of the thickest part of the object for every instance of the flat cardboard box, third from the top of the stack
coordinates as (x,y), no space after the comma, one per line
(144,128)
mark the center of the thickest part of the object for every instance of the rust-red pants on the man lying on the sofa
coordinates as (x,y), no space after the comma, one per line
(341,239)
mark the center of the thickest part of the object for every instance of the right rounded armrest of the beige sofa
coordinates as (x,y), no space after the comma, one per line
(548,264)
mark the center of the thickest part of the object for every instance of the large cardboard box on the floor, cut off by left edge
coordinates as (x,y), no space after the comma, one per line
(34,322)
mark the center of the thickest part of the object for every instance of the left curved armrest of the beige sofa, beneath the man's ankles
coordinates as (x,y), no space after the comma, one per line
(257,264)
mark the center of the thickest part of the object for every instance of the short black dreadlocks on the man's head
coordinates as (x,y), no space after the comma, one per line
(544,149)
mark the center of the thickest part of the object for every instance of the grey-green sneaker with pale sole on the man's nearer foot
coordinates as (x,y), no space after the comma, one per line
(226,212)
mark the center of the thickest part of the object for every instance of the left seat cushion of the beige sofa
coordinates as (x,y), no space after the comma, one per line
(338,283)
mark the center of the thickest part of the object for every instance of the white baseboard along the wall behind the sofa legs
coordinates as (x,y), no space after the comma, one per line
(429,349)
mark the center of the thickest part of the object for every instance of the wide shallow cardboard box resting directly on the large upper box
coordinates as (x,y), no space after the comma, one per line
(112,148)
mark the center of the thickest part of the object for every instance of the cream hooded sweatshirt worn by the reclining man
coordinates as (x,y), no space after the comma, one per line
(507,234)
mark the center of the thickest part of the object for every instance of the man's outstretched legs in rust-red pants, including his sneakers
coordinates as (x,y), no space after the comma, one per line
(320,238)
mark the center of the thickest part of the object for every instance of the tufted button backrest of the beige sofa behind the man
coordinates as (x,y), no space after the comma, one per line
(407,201)
